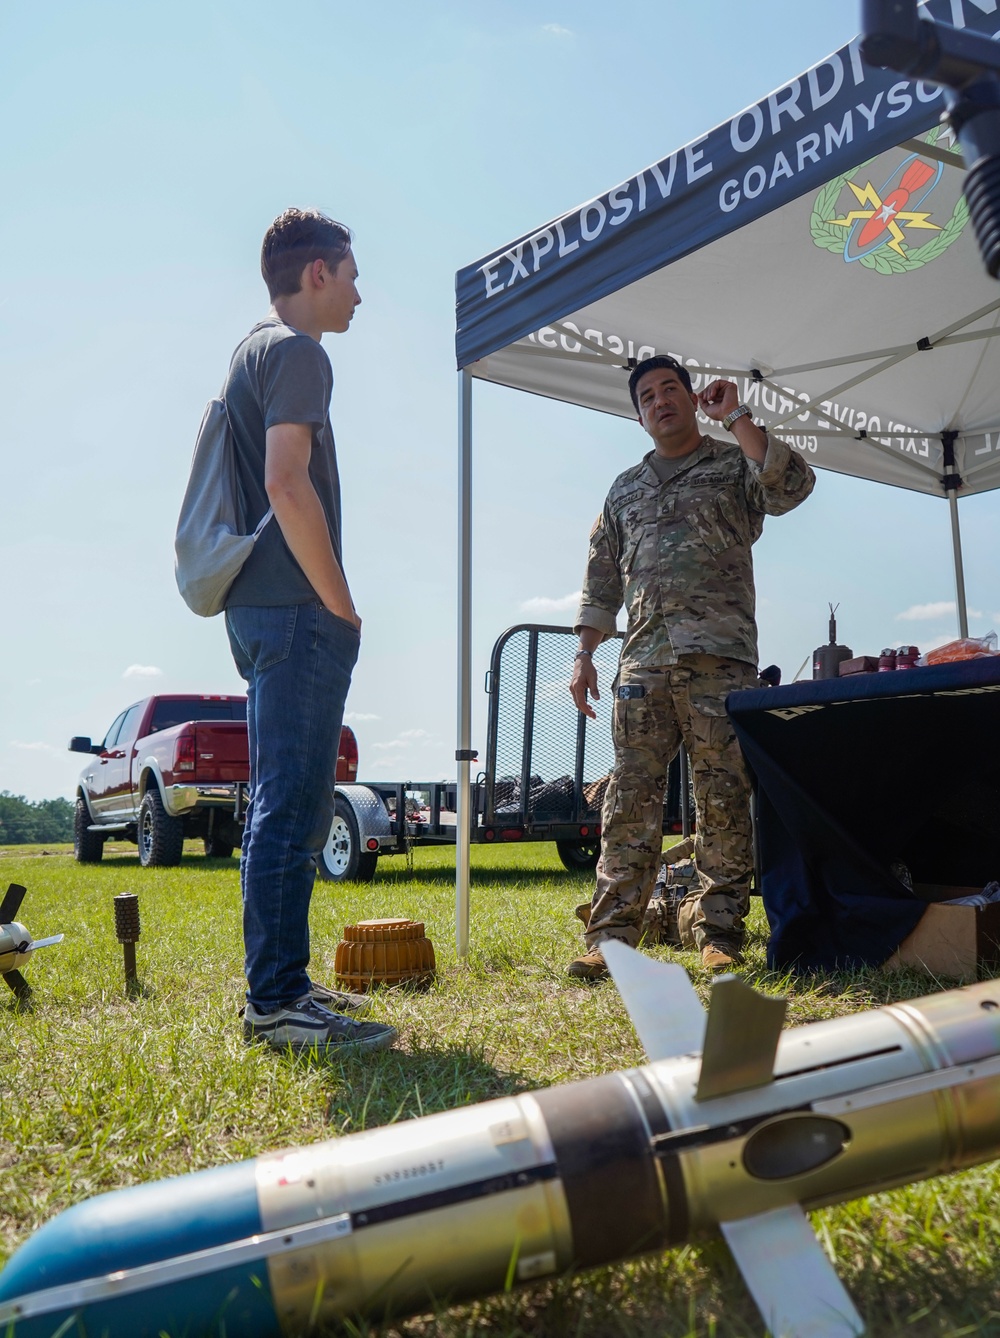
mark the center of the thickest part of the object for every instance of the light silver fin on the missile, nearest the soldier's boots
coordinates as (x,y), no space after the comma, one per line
(661,1000)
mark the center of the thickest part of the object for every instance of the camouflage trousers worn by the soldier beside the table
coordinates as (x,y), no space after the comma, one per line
(657,711)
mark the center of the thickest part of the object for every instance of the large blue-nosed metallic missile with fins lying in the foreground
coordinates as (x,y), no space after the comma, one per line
(734,1127)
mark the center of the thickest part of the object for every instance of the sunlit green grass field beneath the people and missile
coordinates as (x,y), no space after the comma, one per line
(100,1091)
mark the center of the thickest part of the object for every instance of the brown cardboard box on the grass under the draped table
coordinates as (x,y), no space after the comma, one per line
(955,941)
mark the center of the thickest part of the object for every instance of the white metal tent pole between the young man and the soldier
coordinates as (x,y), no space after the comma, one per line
(464,816)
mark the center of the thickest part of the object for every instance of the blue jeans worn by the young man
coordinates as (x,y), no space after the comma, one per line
(298,663)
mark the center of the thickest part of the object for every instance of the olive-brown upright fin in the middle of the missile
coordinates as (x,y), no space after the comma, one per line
(741,1039)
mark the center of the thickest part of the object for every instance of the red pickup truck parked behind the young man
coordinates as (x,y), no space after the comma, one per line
(169,769)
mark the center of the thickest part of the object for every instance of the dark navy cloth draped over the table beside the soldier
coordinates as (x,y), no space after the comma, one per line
(857,775)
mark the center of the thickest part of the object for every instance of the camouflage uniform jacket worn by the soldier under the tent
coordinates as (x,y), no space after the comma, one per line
(677,555)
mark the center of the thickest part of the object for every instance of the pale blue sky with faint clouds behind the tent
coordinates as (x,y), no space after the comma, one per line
(148,149)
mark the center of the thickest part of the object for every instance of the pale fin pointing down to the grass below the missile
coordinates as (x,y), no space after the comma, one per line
(788,1274)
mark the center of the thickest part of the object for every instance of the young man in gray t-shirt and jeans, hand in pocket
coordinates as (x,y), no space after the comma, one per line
(294,628)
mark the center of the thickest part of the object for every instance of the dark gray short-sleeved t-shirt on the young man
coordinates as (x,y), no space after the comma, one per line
(279,375)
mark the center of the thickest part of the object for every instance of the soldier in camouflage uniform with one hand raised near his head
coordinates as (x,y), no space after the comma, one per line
(673,545)
